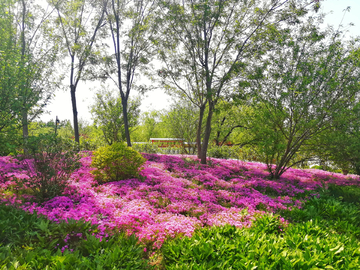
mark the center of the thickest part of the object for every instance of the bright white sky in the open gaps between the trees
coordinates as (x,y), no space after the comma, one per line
(157,99)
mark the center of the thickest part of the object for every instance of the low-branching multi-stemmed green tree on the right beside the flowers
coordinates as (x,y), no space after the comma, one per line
(309,79)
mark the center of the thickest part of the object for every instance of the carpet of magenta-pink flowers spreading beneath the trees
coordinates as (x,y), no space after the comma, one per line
(174,195)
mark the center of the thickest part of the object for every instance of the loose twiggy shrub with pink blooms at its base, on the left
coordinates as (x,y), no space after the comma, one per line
(45,175)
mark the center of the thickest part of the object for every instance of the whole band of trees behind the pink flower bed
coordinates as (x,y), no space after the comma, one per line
(260,75)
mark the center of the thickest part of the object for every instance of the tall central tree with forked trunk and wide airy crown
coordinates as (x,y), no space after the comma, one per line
(205,44)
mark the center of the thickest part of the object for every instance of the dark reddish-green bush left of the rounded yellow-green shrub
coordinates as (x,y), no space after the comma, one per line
(52,162)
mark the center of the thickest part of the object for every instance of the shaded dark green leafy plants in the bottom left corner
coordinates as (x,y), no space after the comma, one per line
(31,242)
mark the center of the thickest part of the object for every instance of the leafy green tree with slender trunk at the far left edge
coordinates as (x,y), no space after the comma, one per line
(28,52)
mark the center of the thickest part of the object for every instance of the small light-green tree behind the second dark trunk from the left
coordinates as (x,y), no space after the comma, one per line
(108,115)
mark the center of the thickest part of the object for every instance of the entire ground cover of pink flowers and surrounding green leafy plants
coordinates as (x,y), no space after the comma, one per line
(179,214)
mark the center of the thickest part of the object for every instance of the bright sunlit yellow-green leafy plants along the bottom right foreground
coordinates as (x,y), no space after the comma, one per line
(301,246)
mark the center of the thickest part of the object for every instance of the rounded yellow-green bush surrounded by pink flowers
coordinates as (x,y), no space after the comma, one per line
(116,162)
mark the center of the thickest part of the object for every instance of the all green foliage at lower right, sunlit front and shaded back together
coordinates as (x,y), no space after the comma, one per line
(324,235)
